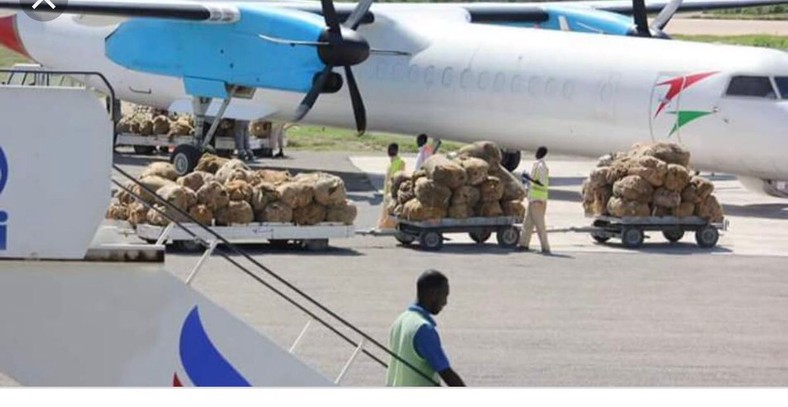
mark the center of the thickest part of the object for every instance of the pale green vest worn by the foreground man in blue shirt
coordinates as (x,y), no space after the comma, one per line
(403,331)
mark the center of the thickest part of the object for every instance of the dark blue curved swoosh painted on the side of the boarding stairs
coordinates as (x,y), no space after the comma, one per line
(202,362)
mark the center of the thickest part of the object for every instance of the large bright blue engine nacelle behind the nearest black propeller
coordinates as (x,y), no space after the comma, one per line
(211,56)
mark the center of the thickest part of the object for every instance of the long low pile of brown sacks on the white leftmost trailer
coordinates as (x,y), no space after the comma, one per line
(225,192)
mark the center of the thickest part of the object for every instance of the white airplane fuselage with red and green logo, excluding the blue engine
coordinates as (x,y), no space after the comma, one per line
(574,93)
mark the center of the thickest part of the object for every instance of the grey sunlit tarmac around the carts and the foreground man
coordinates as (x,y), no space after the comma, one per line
(590,315)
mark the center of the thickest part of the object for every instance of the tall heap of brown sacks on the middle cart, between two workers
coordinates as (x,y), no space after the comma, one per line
(472,184)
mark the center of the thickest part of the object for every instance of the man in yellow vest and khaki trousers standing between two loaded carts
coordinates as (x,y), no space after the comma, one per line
(539,180)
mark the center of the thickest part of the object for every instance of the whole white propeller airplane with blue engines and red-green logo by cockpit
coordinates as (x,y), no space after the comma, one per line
(465,72)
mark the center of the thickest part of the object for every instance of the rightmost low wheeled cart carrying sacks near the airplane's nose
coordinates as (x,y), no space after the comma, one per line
(631,231)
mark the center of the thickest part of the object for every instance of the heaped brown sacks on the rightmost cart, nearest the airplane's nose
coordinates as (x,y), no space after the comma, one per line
(649,180)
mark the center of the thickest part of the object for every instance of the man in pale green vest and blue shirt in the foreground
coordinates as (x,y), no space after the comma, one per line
(414,338)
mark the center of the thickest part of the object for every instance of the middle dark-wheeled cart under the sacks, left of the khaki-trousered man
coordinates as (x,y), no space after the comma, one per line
(429,233)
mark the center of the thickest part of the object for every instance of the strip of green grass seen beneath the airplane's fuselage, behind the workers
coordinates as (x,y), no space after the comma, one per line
(320,138)
